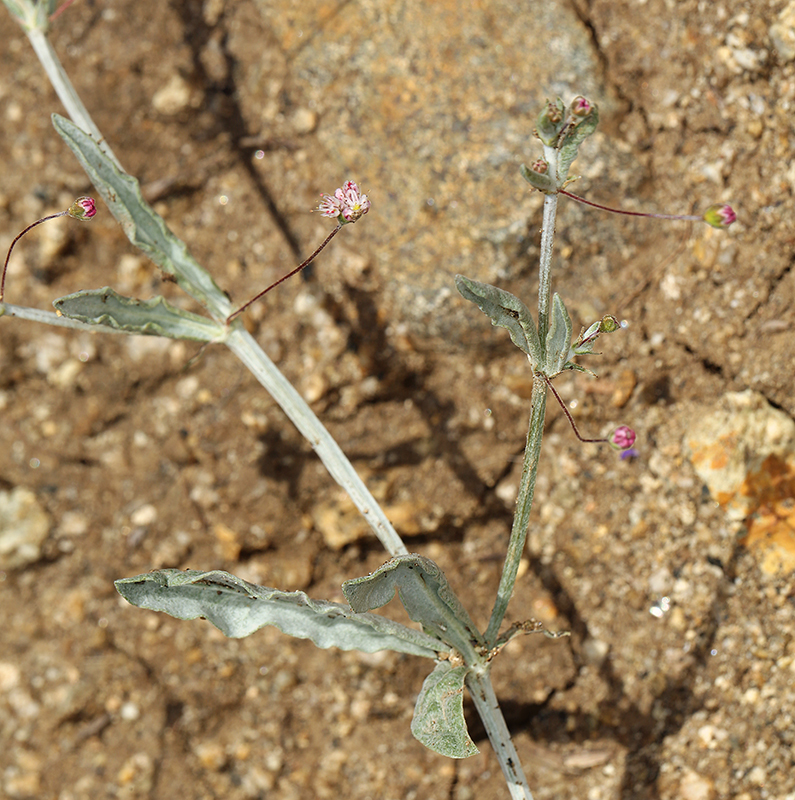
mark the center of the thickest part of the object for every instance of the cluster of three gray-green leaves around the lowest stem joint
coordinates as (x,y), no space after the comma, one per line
(239,608)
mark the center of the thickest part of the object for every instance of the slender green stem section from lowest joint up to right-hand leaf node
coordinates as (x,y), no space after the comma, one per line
(524,503)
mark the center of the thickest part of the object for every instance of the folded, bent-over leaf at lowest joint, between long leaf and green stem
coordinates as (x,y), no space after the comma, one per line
(427,597)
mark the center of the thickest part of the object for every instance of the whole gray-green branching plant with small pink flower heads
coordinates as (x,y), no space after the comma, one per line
(461,654)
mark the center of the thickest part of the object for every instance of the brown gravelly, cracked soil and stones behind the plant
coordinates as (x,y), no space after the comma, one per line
(673,570)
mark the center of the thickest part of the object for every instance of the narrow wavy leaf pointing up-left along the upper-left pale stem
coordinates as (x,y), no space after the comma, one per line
(144,228)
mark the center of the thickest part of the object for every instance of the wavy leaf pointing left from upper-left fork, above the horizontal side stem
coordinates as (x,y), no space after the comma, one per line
(155,317)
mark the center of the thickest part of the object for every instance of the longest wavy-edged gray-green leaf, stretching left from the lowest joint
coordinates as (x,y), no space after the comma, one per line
(238,608)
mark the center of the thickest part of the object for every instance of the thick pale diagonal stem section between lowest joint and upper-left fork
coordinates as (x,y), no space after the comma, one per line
(302,416)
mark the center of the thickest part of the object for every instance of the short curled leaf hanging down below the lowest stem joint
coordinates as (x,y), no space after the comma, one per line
(439,713)
